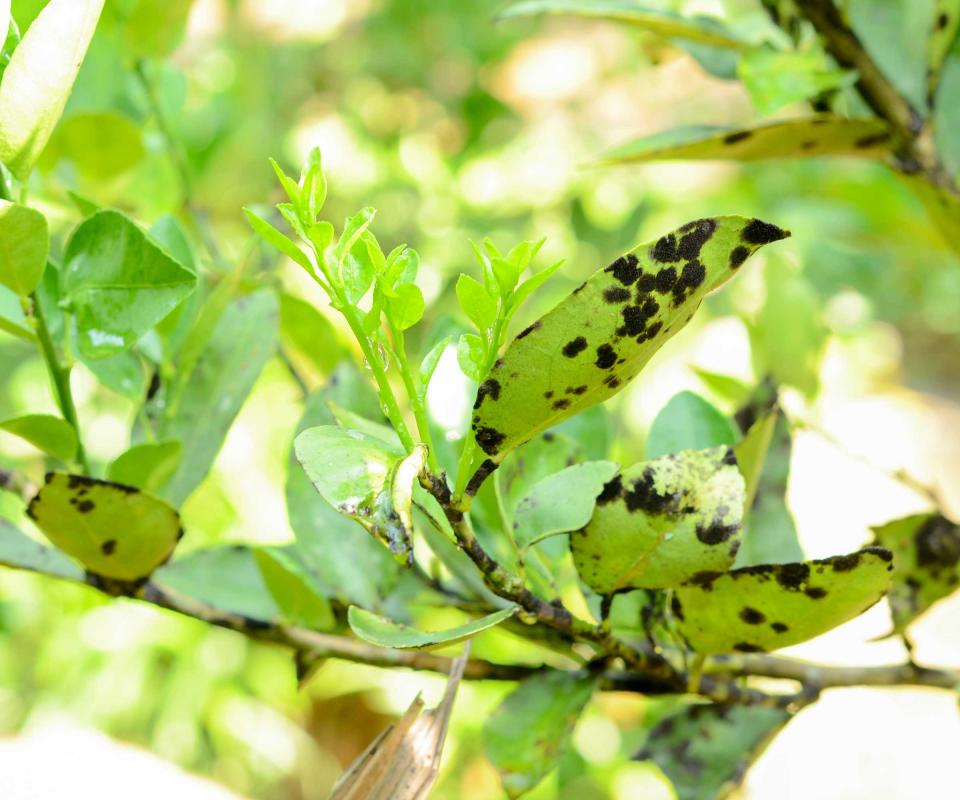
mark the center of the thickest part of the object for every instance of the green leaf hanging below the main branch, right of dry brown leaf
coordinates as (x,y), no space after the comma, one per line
(530,731)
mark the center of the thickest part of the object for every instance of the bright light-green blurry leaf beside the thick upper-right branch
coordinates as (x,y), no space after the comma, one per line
(776,78)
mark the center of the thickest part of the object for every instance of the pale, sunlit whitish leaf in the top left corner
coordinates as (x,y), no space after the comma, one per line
(39,77)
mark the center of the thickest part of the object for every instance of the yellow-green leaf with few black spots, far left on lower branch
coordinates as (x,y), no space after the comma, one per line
(113,530)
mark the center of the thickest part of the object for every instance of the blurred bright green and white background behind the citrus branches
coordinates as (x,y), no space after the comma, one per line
(455,126)
